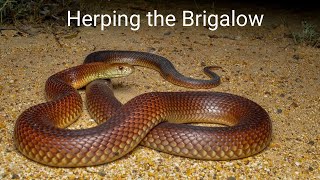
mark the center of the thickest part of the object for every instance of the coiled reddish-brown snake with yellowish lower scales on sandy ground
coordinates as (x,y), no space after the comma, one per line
(158,120)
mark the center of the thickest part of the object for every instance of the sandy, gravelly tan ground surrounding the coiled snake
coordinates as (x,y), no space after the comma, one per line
(260,63)
